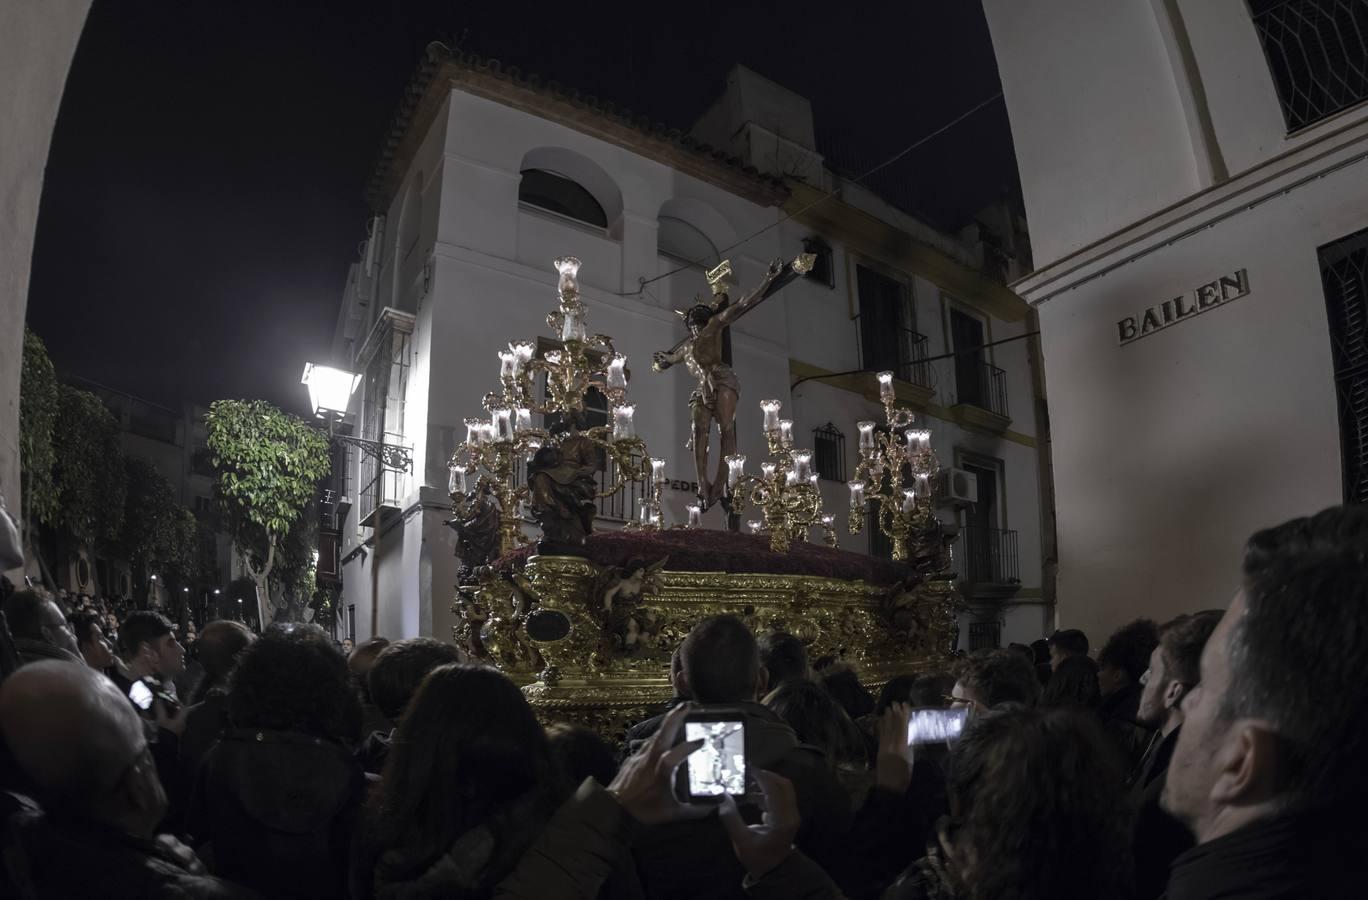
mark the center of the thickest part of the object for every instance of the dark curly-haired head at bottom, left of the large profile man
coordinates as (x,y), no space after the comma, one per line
(1036,810)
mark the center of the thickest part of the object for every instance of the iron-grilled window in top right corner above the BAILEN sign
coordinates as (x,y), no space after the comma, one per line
(1318,55)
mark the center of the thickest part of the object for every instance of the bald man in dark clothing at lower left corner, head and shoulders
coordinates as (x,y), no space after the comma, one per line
(81,746)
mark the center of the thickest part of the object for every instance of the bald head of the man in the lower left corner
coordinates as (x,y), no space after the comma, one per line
(70,731)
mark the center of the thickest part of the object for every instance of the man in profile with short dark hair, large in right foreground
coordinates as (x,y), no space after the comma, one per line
(1269,769)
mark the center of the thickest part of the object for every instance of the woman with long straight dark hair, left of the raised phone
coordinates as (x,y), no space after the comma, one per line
(469,786)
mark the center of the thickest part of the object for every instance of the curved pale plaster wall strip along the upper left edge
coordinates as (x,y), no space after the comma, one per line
(38,40)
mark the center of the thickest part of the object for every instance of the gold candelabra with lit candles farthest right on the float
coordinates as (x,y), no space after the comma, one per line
(897,467)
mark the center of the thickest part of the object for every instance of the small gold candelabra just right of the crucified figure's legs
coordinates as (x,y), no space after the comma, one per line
(786,492)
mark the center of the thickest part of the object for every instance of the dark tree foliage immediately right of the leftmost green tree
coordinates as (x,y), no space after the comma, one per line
(90,473)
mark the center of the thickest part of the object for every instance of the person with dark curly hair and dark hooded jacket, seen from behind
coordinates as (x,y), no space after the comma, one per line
(277,795)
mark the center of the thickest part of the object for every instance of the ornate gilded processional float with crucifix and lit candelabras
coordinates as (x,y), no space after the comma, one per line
(586,622)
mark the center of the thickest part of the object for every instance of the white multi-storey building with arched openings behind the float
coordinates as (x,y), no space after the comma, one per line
(489,177)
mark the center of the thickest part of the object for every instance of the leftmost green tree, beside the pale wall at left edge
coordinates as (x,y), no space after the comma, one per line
(38,421)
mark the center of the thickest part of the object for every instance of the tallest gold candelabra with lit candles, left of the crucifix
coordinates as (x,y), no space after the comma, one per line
(495,447)
